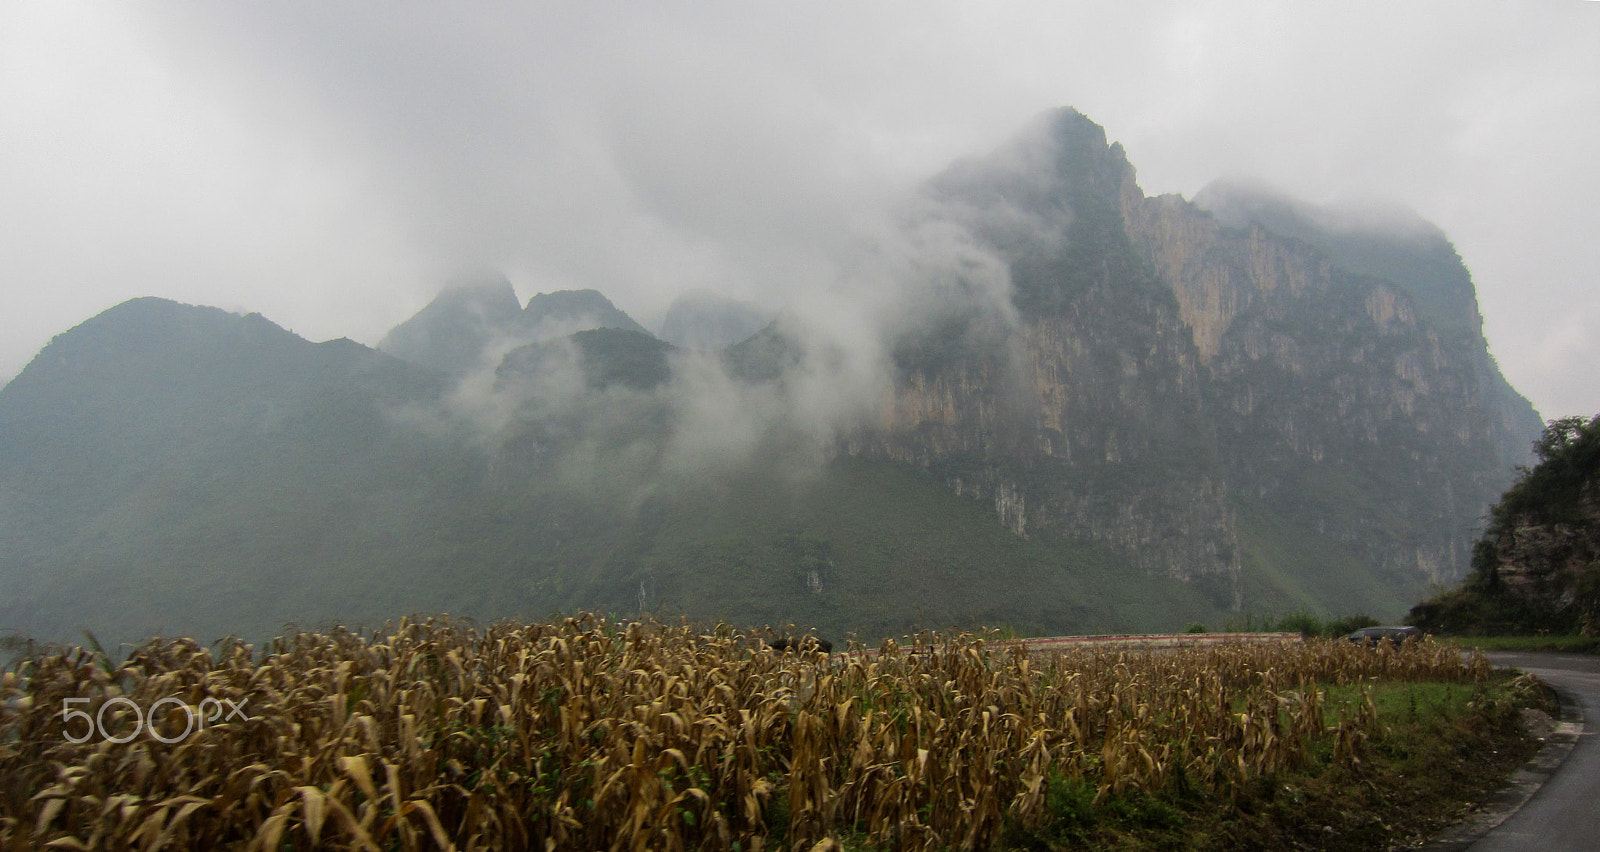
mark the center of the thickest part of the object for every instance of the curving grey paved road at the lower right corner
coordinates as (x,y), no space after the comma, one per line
(1566,813)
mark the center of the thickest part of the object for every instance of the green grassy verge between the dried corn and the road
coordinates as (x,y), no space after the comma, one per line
(1436,749)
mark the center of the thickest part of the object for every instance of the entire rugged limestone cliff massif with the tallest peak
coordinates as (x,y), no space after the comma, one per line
(1202,396)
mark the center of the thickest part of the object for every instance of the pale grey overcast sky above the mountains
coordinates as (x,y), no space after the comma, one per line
(332,166)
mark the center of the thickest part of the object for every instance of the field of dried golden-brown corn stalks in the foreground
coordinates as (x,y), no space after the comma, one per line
(586,734)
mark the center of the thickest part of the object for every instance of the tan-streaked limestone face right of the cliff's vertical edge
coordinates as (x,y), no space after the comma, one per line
(1326,372)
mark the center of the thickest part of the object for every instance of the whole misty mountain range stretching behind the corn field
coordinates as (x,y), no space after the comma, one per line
(1066,408)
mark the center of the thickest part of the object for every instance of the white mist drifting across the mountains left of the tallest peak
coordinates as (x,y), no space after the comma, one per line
(542,401)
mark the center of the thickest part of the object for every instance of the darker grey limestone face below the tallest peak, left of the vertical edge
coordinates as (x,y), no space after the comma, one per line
(1076,438)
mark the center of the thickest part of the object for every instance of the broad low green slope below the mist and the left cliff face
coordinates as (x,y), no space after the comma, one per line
(878,549)
